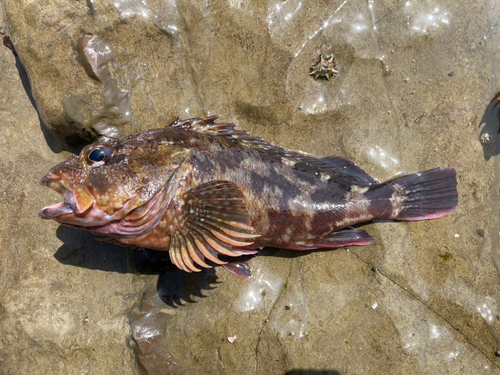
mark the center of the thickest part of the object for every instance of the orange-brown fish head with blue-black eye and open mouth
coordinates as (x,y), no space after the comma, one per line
(108,180)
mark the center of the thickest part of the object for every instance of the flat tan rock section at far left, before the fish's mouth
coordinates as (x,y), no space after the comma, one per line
(56,316)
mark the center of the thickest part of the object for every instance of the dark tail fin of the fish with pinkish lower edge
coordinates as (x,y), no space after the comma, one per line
(425,195)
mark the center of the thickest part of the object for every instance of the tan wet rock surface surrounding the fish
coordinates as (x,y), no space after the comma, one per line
(413,92)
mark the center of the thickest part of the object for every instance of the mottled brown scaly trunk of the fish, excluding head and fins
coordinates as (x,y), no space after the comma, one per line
(288,206)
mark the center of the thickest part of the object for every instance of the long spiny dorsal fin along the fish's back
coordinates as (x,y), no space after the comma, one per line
(334,166)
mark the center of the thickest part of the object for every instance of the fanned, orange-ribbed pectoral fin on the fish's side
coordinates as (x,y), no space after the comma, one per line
(215,221)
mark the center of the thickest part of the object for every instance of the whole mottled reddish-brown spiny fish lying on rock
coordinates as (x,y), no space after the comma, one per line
(208,194)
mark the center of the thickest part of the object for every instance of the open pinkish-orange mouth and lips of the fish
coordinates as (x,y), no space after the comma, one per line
(70,205)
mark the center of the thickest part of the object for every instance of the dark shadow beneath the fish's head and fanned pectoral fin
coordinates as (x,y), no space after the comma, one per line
(174,287)
